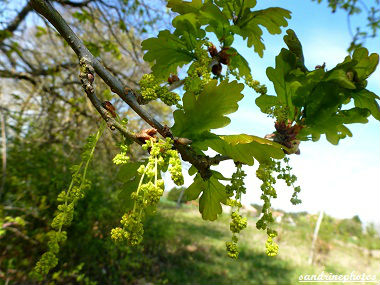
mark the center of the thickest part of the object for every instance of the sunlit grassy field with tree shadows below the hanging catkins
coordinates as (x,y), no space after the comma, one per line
(196,252)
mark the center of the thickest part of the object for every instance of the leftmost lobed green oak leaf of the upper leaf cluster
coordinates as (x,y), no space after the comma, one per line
(166,52)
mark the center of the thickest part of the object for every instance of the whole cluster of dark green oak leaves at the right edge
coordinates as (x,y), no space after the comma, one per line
(318,96)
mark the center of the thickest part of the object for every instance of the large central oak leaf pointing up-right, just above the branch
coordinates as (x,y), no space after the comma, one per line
(207,110)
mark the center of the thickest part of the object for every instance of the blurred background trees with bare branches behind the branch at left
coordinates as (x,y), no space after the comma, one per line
(47,118)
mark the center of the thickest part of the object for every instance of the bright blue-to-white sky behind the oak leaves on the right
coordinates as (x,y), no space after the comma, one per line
(342,180)
